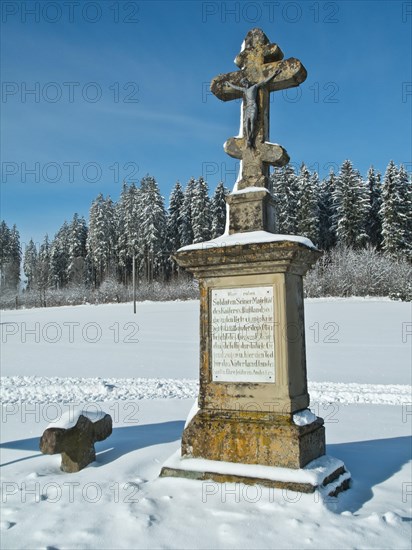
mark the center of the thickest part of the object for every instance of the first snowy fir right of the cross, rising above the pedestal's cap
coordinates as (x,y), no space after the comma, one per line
(286,196)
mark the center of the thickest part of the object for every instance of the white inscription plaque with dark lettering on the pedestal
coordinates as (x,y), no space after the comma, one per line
(242,323)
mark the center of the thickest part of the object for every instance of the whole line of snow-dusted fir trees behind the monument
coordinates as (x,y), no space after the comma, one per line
(343,209)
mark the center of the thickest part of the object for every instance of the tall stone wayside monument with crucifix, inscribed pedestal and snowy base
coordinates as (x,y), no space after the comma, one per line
(252,424)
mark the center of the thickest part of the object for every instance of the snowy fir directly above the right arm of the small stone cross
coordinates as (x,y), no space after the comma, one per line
(101,238)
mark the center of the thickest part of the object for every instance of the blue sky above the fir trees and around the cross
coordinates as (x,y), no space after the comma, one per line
(121,90)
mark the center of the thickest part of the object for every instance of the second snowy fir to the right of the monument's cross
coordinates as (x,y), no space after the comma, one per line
(308,215)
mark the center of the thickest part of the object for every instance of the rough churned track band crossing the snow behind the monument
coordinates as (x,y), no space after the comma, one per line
(38,389)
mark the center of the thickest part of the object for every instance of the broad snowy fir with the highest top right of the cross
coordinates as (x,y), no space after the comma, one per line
(351,204)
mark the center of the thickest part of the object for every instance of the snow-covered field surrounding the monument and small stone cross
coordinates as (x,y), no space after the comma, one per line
(143,369)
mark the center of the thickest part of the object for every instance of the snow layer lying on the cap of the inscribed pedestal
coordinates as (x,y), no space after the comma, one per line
(250,237)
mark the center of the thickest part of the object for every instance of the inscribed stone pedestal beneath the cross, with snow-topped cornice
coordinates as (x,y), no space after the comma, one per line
(252,355)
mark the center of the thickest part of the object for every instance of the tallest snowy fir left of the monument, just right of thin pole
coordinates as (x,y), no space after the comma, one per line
(152,234)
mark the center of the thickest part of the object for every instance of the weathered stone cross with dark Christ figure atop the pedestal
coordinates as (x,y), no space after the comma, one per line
(262,70)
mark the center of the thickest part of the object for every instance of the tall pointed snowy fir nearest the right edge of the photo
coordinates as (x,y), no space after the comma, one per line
(394,217)
